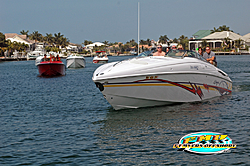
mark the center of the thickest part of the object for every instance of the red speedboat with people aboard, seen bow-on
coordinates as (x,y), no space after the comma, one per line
(51,67)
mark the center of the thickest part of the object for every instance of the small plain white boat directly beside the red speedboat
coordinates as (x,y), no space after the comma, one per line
(75,61)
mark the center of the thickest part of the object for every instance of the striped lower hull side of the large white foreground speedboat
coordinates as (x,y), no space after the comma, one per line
(163,89)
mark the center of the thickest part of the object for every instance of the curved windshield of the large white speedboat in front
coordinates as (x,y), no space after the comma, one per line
(183,54)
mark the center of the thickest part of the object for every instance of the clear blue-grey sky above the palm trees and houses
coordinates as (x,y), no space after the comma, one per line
(117,20)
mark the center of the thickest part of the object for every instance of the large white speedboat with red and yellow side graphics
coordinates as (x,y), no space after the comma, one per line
(179,76)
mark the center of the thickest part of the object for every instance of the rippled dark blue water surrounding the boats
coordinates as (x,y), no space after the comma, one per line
(66,121)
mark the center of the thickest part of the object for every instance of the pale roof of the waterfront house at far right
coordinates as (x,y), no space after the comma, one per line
(223,35)
